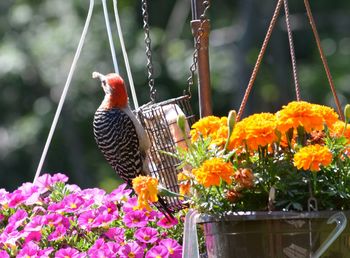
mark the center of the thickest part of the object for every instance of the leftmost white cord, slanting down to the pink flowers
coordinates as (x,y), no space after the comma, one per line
(65,90)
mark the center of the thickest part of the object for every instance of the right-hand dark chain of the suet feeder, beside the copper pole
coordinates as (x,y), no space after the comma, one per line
(197,46)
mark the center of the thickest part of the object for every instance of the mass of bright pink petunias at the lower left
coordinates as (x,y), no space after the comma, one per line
(54,219)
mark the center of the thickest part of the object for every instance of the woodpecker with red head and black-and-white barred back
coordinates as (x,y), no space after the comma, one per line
(119,135)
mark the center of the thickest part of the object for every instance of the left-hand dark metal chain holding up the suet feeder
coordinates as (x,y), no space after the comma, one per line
(150,70)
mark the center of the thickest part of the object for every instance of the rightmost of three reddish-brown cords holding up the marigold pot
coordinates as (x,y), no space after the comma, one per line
(323,57)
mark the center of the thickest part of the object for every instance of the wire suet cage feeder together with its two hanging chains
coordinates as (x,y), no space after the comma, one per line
(159,119)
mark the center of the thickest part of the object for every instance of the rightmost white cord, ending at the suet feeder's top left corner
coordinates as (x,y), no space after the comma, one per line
(125,55)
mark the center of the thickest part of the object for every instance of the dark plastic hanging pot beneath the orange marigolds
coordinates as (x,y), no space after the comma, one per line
(278,234)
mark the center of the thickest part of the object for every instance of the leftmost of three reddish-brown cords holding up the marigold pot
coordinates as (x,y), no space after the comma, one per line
(259,59)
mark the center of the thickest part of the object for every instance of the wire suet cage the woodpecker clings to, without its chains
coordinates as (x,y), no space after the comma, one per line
(160,123)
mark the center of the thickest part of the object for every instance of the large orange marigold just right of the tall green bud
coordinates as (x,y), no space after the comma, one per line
(254,131)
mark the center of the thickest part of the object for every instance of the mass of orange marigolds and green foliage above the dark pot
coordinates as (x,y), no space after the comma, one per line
(268,161)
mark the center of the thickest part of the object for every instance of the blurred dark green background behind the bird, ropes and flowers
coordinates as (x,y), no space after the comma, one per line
(37,44)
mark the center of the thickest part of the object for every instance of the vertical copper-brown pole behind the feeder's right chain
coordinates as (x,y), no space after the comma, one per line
(204,90)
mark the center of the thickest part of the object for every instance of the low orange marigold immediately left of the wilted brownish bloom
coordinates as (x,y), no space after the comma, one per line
(212,170)
